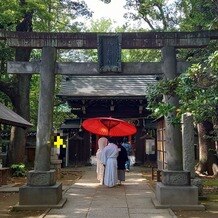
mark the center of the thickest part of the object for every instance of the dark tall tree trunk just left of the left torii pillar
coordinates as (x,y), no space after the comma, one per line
(21,99)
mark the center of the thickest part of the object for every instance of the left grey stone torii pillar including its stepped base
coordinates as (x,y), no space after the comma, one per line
(41,189)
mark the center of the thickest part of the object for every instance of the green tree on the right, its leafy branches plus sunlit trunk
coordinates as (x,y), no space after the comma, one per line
(197,90)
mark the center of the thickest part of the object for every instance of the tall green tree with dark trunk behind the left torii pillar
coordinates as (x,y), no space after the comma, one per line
(28,15)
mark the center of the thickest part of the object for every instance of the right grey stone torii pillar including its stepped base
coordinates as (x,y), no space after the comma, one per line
(175,189)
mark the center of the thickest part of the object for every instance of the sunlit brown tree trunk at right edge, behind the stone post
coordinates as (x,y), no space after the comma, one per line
(206,149)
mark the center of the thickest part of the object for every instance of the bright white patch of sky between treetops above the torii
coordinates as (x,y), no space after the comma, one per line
(114,10)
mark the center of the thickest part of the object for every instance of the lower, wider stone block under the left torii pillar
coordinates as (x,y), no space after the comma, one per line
(36,197)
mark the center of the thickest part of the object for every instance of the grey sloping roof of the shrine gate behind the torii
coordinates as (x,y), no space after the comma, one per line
(106,85)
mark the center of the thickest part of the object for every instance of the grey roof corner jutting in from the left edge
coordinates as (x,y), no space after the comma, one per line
(7,116)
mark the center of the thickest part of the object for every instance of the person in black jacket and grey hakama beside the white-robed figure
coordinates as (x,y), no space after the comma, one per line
(121,161)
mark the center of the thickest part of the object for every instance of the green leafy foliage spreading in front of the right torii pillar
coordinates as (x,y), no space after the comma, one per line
(197,90)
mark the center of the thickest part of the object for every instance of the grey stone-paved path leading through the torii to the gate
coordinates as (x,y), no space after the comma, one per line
(88,199)
